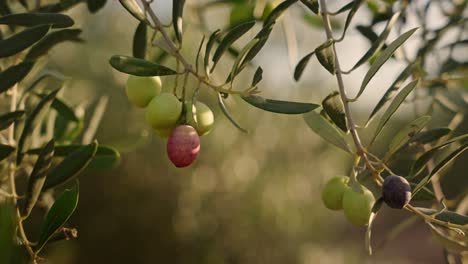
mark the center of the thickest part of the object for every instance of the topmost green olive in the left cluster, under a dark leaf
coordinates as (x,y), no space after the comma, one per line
(141,90)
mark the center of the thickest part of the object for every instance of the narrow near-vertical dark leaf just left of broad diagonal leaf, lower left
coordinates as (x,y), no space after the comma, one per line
(37,177)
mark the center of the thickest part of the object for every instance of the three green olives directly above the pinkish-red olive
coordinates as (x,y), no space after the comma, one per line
(163,110)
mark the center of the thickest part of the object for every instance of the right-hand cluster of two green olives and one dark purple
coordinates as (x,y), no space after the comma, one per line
(357,201)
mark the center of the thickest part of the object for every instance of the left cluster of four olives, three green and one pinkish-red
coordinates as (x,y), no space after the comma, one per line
(182,123)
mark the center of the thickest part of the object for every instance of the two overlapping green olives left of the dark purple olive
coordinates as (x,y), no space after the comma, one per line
(357,205)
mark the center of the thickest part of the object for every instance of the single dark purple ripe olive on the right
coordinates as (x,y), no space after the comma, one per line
(396,191)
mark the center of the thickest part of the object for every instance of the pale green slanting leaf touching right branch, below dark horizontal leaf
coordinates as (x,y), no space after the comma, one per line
(326,130)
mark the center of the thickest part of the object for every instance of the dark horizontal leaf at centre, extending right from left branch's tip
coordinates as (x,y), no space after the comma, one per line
(281,107)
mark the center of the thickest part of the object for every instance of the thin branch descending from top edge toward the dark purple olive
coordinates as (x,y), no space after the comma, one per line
(361,151)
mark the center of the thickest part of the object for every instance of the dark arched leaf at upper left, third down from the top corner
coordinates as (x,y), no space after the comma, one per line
(48,42)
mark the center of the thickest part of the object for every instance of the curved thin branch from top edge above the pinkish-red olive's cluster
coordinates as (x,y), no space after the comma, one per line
(175,52)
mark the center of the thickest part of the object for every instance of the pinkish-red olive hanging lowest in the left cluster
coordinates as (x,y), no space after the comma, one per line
(183,146)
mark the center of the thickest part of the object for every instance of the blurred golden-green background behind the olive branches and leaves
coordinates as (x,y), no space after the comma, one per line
(249,198)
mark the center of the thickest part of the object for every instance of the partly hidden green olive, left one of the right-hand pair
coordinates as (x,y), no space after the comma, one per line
(332,194)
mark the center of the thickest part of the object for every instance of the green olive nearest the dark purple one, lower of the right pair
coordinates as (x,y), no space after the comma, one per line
(357,205)
